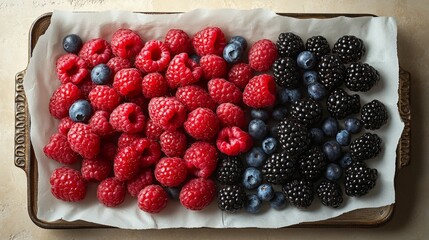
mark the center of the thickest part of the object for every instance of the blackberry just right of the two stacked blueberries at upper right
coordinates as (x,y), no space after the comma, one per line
(331,71)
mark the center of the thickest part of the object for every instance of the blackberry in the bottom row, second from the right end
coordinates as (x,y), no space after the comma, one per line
(330,193)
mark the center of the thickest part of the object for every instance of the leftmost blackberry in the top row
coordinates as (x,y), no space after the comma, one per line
(289,45)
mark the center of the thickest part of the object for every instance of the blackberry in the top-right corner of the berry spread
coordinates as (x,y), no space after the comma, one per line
(349,48)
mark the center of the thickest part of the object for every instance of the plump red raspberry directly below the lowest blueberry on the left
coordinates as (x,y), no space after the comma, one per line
(83,141)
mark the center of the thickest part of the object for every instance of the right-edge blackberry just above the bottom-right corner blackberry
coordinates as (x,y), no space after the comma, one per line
(365,147)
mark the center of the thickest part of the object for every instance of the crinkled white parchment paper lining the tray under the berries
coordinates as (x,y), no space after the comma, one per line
(379,34)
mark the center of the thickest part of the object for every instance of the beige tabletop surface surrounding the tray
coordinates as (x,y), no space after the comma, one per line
(411,215)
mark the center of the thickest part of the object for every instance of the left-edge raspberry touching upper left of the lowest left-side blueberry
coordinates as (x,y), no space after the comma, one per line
(61,100)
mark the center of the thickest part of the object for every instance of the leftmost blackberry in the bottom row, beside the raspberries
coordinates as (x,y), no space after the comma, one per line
(231,198)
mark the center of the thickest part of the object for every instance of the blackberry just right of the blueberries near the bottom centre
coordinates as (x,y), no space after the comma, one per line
(279,168)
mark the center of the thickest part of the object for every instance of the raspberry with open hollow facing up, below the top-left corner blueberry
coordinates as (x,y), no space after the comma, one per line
(71,68)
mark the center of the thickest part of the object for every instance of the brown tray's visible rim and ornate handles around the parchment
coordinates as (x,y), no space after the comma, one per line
(26,159)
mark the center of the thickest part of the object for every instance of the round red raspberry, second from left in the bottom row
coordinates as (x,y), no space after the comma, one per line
(111,192)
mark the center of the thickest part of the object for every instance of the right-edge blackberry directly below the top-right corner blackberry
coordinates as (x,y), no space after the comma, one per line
(361,77)
